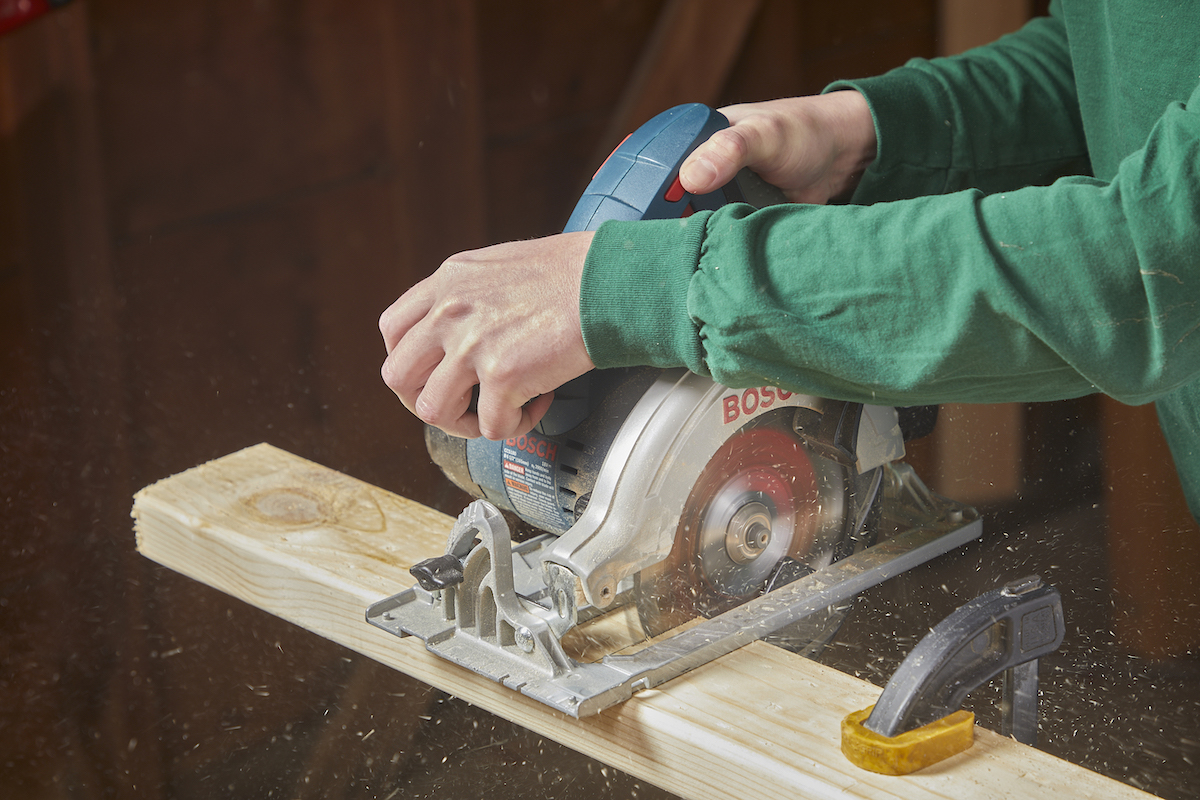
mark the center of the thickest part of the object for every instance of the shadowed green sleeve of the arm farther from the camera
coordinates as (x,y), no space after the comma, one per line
(995,118)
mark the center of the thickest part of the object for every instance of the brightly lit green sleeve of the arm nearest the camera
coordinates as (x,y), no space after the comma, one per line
(1036,294)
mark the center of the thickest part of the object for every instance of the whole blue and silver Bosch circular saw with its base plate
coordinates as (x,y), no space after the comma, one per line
(753,510)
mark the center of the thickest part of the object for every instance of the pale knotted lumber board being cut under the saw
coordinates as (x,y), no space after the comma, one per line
(316,548)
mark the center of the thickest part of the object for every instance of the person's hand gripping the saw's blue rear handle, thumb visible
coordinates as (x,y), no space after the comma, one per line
(815,149)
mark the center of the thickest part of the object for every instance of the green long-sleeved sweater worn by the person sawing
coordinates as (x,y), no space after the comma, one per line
(964,272)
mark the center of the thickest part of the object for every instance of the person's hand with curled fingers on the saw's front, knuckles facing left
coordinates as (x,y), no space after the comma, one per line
(505,318)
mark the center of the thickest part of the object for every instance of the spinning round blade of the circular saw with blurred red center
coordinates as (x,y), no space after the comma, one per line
(765,504)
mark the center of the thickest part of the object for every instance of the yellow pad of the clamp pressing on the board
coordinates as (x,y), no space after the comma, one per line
(907,753)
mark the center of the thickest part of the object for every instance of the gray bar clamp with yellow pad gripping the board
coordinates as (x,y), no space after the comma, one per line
(917,720)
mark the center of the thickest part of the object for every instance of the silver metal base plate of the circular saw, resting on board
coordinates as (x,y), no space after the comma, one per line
(489,627)
